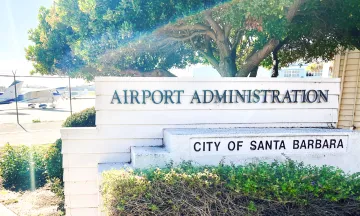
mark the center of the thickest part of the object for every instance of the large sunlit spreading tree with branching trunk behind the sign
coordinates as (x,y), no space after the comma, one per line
(89,37)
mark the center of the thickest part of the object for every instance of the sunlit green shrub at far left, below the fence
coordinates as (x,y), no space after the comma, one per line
(18,165)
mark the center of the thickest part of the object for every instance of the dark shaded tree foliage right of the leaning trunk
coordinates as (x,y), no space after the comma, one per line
(320,31)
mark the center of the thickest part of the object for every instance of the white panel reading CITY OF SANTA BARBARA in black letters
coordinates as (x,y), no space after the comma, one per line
(268,145)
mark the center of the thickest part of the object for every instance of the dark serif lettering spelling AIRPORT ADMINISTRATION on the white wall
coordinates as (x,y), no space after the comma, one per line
(216,96)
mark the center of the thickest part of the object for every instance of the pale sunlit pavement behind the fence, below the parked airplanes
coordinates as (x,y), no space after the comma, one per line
(43,132)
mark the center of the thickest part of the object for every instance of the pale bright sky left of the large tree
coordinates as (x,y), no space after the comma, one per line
(17,17)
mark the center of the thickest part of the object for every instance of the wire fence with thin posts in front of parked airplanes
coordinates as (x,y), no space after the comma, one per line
(36,121)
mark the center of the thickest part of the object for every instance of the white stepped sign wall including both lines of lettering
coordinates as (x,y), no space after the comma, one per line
(133,114)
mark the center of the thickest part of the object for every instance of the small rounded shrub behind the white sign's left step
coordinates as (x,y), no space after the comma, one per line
(85,118)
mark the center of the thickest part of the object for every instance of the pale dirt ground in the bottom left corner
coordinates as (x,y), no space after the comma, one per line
(31,203)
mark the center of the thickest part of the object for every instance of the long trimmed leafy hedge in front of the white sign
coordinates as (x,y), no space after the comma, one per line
(288,188)
